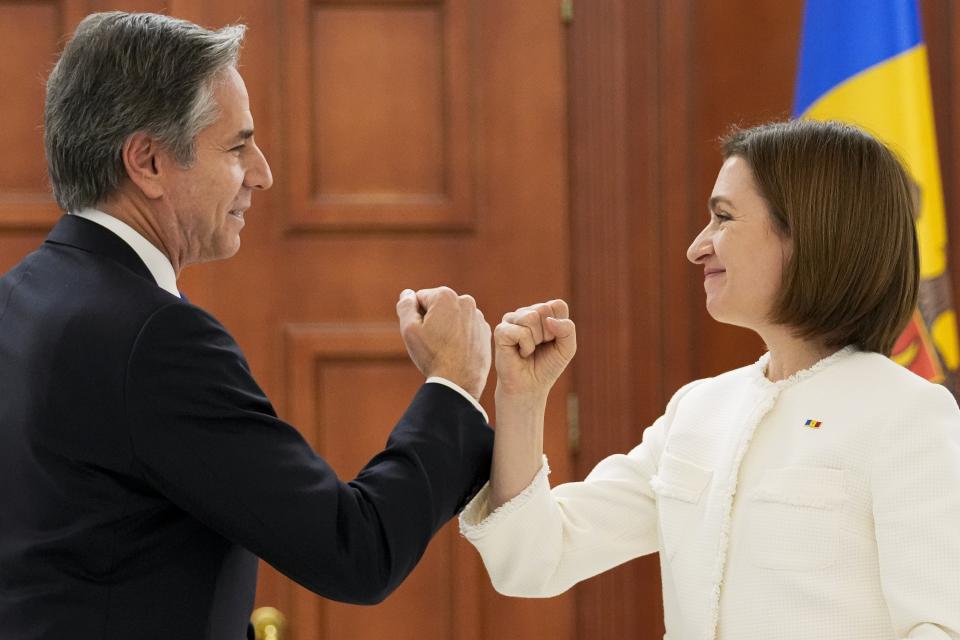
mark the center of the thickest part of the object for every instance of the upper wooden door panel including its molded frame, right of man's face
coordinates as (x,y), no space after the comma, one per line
(379,99)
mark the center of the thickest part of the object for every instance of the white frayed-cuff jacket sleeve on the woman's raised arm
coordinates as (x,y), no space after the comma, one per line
(543,541)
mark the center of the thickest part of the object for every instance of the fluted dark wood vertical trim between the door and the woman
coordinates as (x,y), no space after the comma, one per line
(601,268)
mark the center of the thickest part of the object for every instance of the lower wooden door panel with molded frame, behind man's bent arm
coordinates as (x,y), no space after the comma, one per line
(347,386)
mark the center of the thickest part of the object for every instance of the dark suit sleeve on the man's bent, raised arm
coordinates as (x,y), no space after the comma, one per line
(205,435)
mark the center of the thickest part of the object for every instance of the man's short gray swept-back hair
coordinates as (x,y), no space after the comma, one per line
(122,73)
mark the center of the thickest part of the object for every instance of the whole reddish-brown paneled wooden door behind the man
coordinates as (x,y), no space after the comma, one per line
(413,143)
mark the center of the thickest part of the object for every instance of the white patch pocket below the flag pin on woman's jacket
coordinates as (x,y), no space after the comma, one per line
(793,522)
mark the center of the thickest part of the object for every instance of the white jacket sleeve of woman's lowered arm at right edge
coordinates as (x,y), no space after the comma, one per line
(916,510)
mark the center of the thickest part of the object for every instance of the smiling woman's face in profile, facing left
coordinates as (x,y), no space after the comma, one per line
(741,252)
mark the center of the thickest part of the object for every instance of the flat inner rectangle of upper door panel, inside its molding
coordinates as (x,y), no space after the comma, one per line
(378,111)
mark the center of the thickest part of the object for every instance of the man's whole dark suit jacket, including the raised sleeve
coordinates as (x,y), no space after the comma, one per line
(142,469)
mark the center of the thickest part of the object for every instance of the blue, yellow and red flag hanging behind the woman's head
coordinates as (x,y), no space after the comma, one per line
(865,62)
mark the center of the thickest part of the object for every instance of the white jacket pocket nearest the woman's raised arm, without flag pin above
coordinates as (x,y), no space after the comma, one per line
(679,486)
